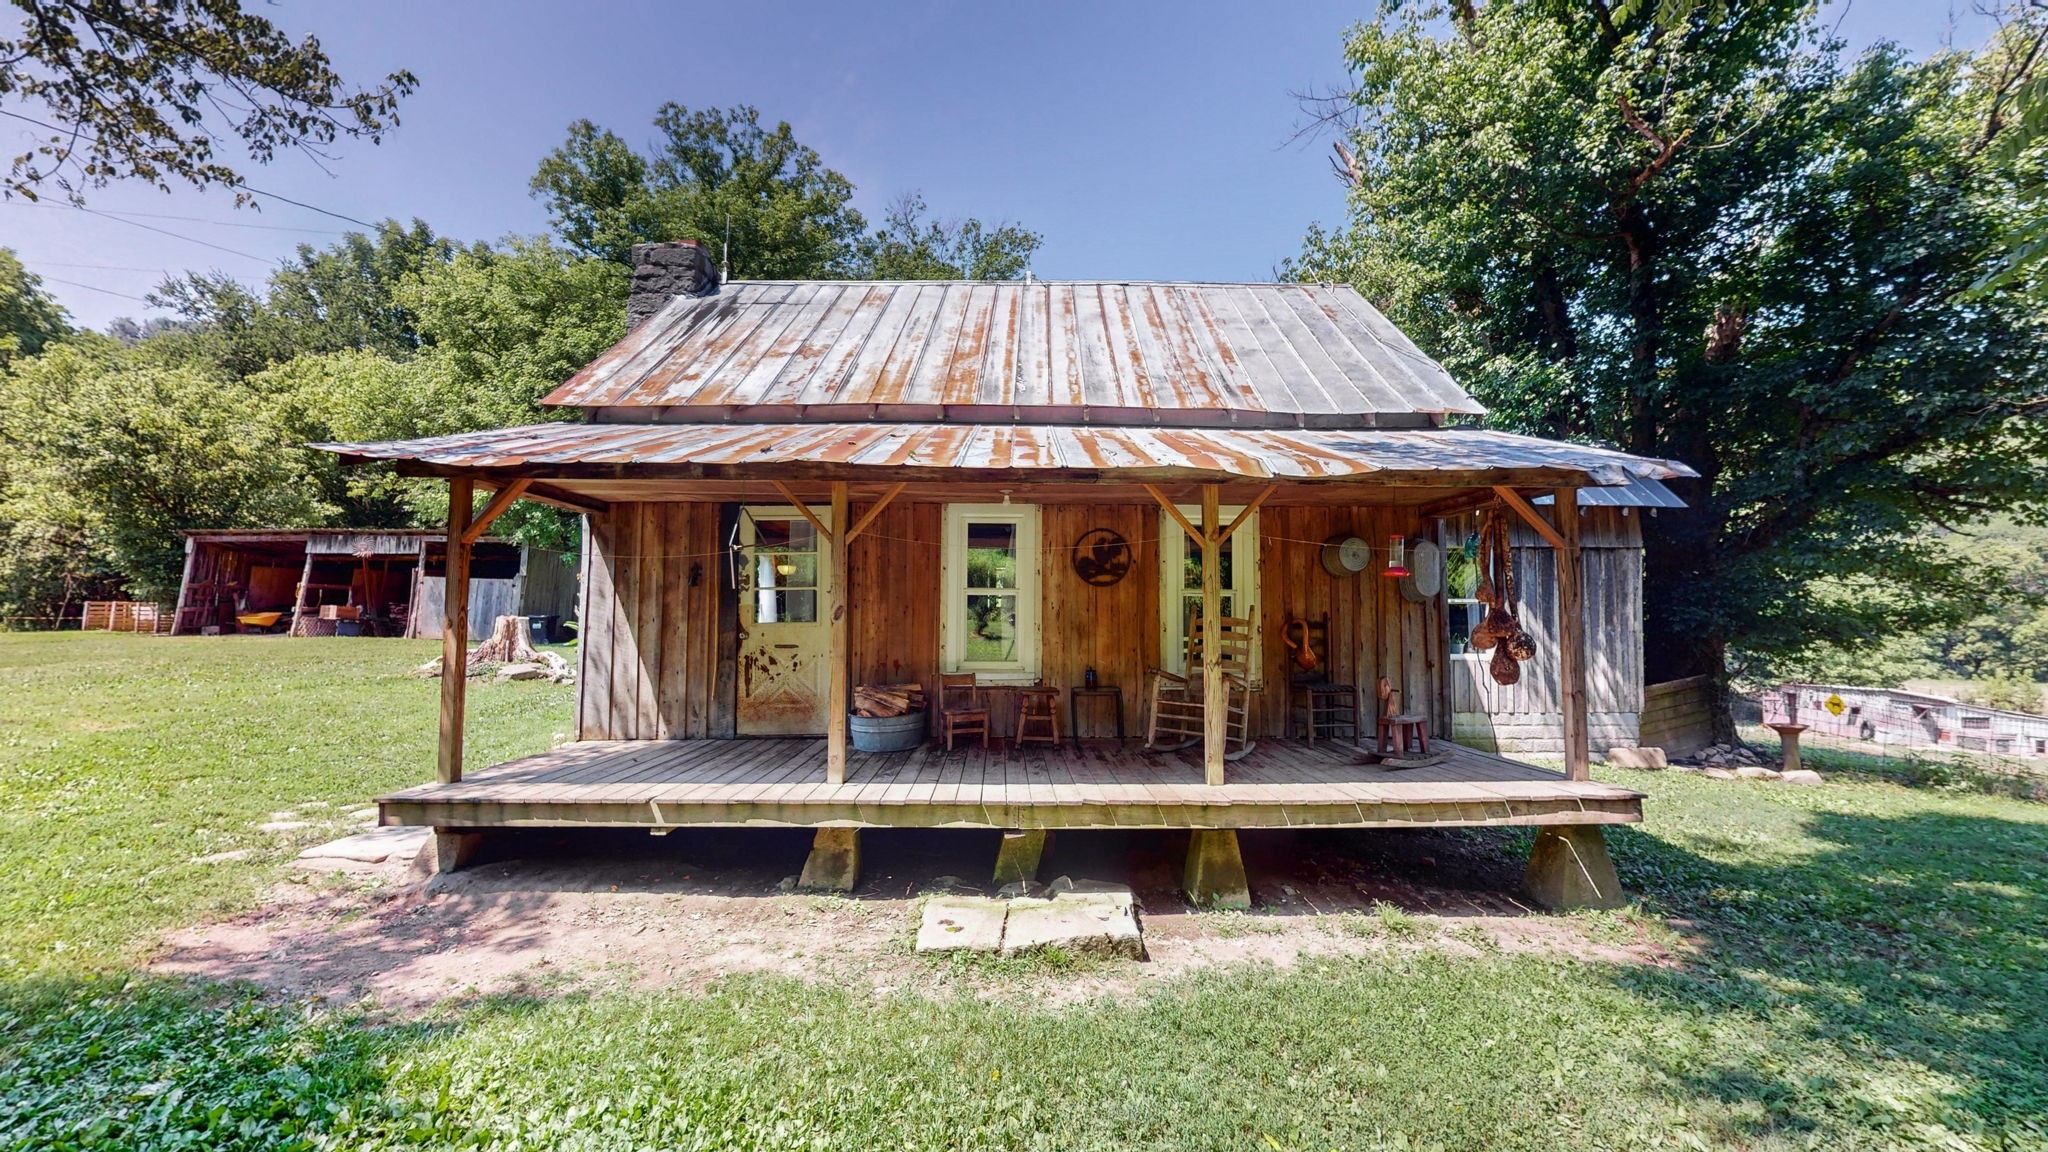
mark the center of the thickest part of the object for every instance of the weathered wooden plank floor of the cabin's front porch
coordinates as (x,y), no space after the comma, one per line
(1095,784)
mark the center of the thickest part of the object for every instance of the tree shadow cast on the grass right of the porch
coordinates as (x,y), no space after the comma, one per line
(1893,981)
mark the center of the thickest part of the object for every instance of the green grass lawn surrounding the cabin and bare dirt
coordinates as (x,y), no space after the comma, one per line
(1871,973)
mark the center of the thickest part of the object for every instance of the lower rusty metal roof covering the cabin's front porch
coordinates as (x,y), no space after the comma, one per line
(1046,452)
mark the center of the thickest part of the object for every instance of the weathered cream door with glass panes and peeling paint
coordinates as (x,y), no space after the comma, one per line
(785,612)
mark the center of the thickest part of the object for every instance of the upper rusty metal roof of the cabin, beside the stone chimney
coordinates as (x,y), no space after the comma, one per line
(1027,354)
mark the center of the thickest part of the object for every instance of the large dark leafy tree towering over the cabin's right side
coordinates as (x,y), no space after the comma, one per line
(1705,235)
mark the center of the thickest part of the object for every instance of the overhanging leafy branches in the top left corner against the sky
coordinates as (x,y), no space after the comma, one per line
(155,91)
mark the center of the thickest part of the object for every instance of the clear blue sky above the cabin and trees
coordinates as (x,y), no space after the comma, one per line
(1144,140)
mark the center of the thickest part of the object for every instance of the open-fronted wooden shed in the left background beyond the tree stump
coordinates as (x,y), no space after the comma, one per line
(382,581)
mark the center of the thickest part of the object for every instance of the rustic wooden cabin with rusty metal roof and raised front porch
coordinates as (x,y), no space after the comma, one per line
(796,489)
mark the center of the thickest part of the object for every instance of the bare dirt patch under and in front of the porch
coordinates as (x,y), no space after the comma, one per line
(548,911)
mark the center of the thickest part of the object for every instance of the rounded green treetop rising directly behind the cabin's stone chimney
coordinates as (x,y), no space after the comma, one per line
(714,173)
